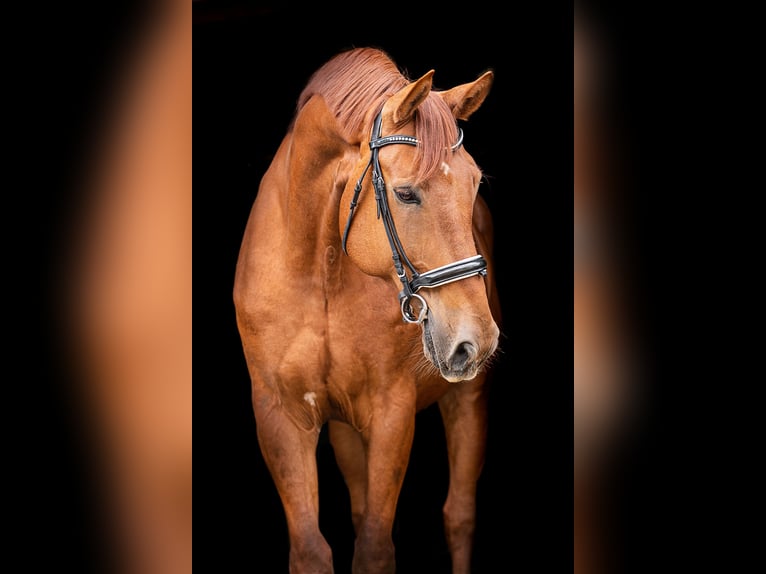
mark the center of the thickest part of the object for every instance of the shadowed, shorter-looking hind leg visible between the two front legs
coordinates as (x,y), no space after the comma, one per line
(352,461)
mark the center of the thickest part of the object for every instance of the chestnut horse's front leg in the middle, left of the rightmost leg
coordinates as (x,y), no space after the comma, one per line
(389,441)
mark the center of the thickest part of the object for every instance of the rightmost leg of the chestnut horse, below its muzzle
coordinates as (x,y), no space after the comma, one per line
(464,413)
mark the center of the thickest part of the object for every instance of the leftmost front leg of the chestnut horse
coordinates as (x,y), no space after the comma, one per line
(290,454)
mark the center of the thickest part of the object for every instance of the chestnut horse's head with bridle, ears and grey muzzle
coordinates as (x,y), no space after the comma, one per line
(425,190)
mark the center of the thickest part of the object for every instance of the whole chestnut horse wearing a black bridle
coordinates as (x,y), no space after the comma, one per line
(370,202)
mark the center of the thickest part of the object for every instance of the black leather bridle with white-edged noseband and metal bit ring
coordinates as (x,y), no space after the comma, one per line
(468,267)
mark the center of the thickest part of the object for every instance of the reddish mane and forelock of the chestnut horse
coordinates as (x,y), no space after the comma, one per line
(360,79)
